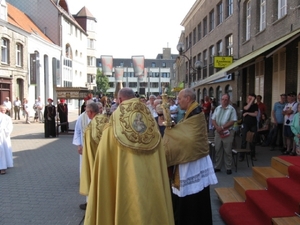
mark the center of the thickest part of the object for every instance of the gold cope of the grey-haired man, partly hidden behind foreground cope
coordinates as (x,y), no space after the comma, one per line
(92,136)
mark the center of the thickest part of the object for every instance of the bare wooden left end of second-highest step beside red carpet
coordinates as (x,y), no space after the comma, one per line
(261,174)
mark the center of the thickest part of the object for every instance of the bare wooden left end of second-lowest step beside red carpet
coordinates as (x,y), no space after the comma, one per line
(242,184)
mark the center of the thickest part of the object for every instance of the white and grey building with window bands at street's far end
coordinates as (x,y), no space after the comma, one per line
(158,74)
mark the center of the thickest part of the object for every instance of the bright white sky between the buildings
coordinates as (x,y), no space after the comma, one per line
(135,27)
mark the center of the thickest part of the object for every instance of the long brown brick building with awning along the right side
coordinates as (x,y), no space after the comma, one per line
(262,37)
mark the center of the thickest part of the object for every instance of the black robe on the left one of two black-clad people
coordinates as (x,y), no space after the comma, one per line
(49,117)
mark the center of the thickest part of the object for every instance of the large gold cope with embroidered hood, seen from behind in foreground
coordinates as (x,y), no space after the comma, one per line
(129,183)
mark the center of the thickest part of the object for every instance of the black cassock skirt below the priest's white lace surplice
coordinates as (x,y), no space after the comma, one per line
(193,209)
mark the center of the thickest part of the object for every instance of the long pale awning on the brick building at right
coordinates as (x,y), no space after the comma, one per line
(223,73)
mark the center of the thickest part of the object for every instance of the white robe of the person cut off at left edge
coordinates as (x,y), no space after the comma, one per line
(6,157)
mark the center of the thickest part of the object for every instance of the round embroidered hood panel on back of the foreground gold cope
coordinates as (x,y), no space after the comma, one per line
(135,127)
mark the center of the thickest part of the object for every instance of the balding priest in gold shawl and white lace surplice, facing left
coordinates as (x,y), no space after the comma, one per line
(186,146)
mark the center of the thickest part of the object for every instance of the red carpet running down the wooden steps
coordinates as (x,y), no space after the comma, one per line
(281,199)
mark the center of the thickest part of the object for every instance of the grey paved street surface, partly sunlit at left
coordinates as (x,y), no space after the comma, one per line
(42,188)
